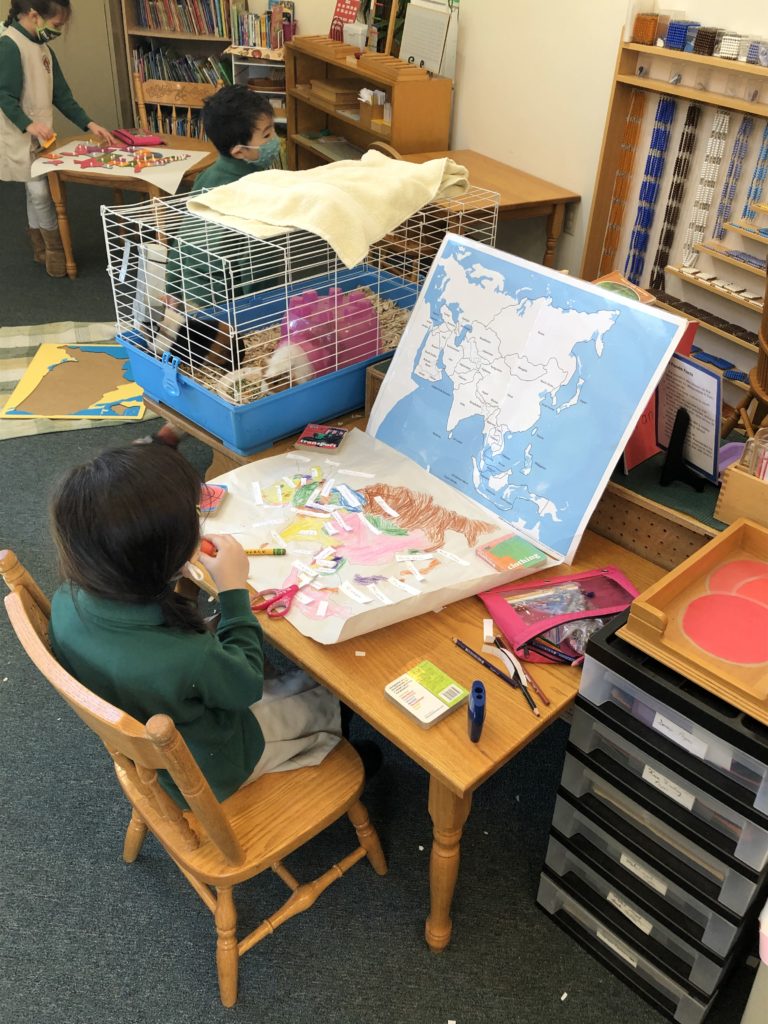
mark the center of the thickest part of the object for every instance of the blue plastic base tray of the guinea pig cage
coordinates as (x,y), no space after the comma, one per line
(247,429)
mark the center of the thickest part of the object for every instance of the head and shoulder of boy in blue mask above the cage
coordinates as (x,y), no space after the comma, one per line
(241,125)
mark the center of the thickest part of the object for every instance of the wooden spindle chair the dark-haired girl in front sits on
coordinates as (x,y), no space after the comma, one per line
(215,845)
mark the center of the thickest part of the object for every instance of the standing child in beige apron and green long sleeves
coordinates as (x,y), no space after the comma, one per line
(31,86)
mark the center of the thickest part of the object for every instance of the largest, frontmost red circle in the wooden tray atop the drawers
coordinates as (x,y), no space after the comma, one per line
(731,627)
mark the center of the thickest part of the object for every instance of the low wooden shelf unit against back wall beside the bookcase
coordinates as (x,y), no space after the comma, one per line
(421,105)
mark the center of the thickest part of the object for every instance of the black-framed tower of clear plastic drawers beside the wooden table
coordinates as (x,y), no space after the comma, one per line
(658,860)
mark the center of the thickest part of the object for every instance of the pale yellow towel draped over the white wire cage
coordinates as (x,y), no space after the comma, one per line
(351,203)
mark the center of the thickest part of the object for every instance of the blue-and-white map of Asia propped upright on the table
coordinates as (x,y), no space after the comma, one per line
(520,388)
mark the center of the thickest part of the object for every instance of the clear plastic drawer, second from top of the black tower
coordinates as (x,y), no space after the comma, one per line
(693,808)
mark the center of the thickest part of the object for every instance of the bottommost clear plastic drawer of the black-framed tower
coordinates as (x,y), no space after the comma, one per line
(659,989)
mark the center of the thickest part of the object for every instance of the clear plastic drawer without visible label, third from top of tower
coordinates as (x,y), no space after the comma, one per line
(720,878)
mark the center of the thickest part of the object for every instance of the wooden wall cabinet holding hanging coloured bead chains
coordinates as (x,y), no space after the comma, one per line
(724,293)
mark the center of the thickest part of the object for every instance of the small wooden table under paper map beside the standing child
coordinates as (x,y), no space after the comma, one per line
(117,181)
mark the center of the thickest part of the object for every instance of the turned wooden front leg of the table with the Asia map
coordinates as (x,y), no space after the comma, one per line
(449,814)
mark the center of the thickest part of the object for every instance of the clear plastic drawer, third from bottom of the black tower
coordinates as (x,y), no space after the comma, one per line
(648,874)
